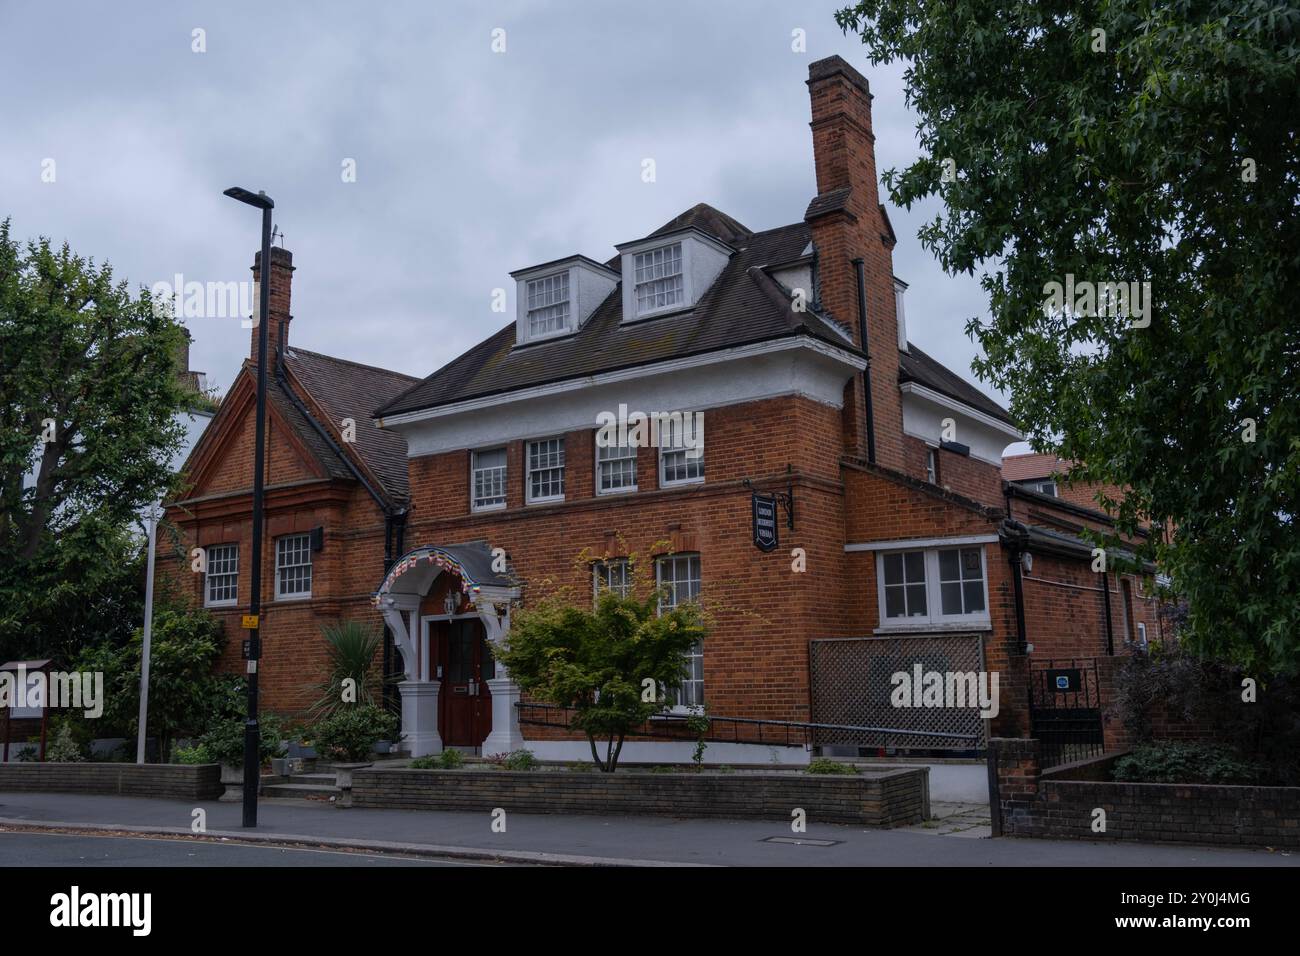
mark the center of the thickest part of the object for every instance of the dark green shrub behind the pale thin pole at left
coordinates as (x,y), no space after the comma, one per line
(185,695)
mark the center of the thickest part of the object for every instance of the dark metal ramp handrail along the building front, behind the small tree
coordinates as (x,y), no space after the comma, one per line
(743,730)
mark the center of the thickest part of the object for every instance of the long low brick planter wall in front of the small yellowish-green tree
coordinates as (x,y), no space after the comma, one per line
(881,799)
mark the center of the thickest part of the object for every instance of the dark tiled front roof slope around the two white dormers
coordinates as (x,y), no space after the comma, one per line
(743,306)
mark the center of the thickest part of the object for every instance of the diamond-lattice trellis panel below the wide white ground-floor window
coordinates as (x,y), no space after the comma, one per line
(853,682)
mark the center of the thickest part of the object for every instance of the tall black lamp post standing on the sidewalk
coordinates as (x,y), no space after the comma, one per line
(253,654)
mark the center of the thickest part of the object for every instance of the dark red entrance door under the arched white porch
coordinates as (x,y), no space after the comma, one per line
(465,700)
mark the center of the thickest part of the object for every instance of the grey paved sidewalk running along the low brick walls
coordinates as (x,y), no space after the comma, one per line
(578,840)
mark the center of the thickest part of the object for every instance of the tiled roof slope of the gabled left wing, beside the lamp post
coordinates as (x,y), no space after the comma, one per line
(352,391)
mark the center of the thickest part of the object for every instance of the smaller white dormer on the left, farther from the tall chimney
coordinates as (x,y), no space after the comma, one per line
(557,299)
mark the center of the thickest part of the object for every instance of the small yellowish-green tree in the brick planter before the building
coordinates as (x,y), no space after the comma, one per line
(614,667)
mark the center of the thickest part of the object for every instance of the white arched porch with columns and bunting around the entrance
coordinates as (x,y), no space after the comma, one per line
(491,592)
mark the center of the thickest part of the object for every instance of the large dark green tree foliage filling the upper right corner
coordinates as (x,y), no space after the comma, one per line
(1137,141)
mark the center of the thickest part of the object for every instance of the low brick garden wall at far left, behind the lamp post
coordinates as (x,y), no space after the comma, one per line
(180,781)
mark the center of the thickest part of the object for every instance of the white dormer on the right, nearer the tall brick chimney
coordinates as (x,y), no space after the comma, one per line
(670,272)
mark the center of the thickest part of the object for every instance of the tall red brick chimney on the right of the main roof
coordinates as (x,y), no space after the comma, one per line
(848,223)
